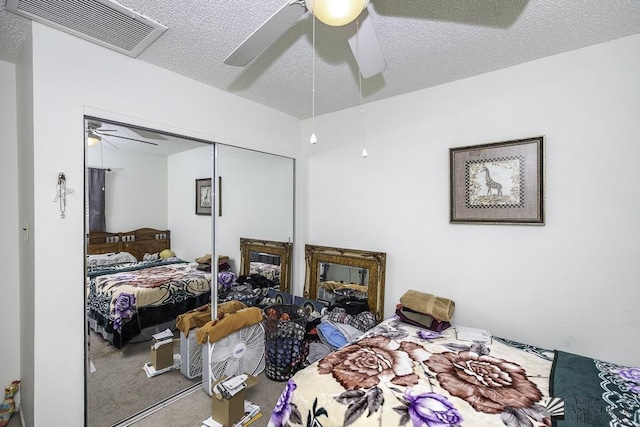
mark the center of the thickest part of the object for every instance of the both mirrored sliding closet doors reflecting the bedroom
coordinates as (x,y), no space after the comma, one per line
(149,217)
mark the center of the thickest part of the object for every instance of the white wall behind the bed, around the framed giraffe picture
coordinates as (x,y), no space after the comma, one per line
(571,284)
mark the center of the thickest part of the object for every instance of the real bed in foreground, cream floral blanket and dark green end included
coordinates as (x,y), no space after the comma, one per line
(399,375)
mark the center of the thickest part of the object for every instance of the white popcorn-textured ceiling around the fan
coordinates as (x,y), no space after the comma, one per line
(425,43)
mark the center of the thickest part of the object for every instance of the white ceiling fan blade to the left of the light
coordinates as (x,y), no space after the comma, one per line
(267,33)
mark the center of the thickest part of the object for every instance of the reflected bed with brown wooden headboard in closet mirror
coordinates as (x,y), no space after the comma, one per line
(141,294)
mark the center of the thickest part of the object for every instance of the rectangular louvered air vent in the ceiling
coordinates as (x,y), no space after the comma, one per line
(104,22)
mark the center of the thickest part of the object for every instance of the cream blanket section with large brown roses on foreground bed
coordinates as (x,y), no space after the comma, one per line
(397,375)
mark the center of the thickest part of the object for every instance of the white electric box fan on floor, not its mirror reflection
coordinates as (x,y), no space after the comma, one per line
(237,353)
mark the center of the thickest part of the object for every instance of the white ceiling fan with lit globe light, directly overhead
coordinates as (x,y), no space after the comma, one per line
(363,41)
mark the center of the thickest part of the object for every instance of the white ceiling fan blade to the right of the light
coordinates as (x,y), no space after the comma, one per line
(365,47)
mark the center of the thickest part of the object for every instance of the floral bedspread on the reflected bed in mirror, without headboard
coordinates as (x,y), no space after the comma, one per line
(126,299)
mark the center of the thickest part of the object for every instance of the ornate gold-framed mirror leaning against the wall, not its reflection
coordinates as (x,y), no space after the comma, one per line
(351,267)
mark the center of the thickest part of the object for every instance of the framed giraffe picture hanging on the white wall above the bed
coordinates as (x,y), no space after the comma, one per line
(498,183)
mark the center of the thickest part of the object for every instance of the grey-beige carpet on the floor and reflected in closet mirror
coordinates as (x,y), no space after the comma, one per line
(120,388)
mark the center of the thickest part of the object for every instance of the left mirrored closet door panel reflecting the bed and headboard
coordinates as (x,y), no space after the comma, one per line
(140,217)
